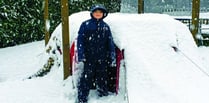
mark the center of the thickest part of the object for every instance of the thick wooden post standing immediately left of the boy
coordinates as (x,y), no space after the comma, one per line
(65,38)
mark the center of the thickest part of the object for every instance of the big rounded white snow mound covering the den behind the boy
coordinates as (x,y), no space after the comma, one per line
(156,72)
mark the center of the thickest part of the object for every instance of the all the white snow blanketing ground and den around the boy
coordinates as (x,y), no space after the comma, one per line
(162,61)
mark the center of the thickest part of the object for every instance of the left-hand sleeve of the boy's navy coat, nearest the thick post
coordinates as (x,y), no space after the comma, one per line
(80,43)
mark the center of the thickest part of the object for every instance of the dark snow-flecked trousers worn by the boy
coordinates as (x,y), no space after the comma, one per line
(94,74)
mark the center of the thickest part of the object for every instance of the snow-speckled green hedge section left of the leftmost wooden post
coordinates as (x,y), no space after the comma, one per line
(21,21)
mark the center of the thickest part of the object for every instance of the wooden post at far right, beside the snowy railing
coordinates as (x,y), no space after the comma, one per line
(195,18)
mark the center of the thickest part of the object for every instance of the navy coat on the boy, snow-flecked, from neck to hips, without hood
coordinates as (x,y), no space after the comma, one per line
(95,41)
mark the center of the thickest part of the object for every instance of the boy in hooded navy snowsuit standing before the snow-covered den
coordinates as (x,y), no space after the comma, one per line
(96,51)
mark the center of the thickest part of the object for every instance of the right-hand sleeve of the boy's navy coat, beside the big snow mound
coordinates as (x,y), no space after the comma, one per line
(111,46)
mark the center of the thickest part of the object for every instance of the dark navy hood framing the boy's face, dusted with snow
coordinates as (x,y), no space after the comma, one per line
(99,7)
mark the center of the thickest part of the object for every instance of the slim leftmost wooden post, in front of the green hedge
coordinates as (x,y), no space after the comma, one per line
(46,21)
